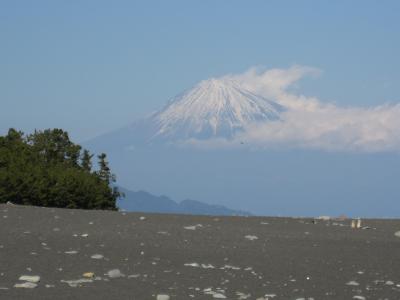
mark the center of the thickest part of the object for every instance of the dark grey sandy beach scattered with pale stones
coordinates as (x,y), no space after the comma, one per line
(142,256)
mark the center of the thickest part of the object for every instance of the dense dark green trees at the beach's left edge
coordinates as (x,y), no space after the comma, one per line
(47,169)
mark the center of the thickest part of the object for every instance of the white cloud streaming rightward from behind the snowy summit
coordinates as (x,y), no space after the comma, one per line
(311,123)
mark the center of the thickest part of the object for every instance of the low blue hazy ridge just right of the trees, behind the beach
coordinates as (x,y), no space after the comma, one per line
(145,202)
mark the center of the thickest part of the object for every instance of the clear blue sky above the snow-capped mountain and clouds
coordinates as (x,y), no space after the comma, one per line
(93,66)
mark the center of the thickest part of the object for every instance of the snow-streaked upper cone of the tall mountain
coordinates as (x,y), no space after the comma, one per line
(213,108)
